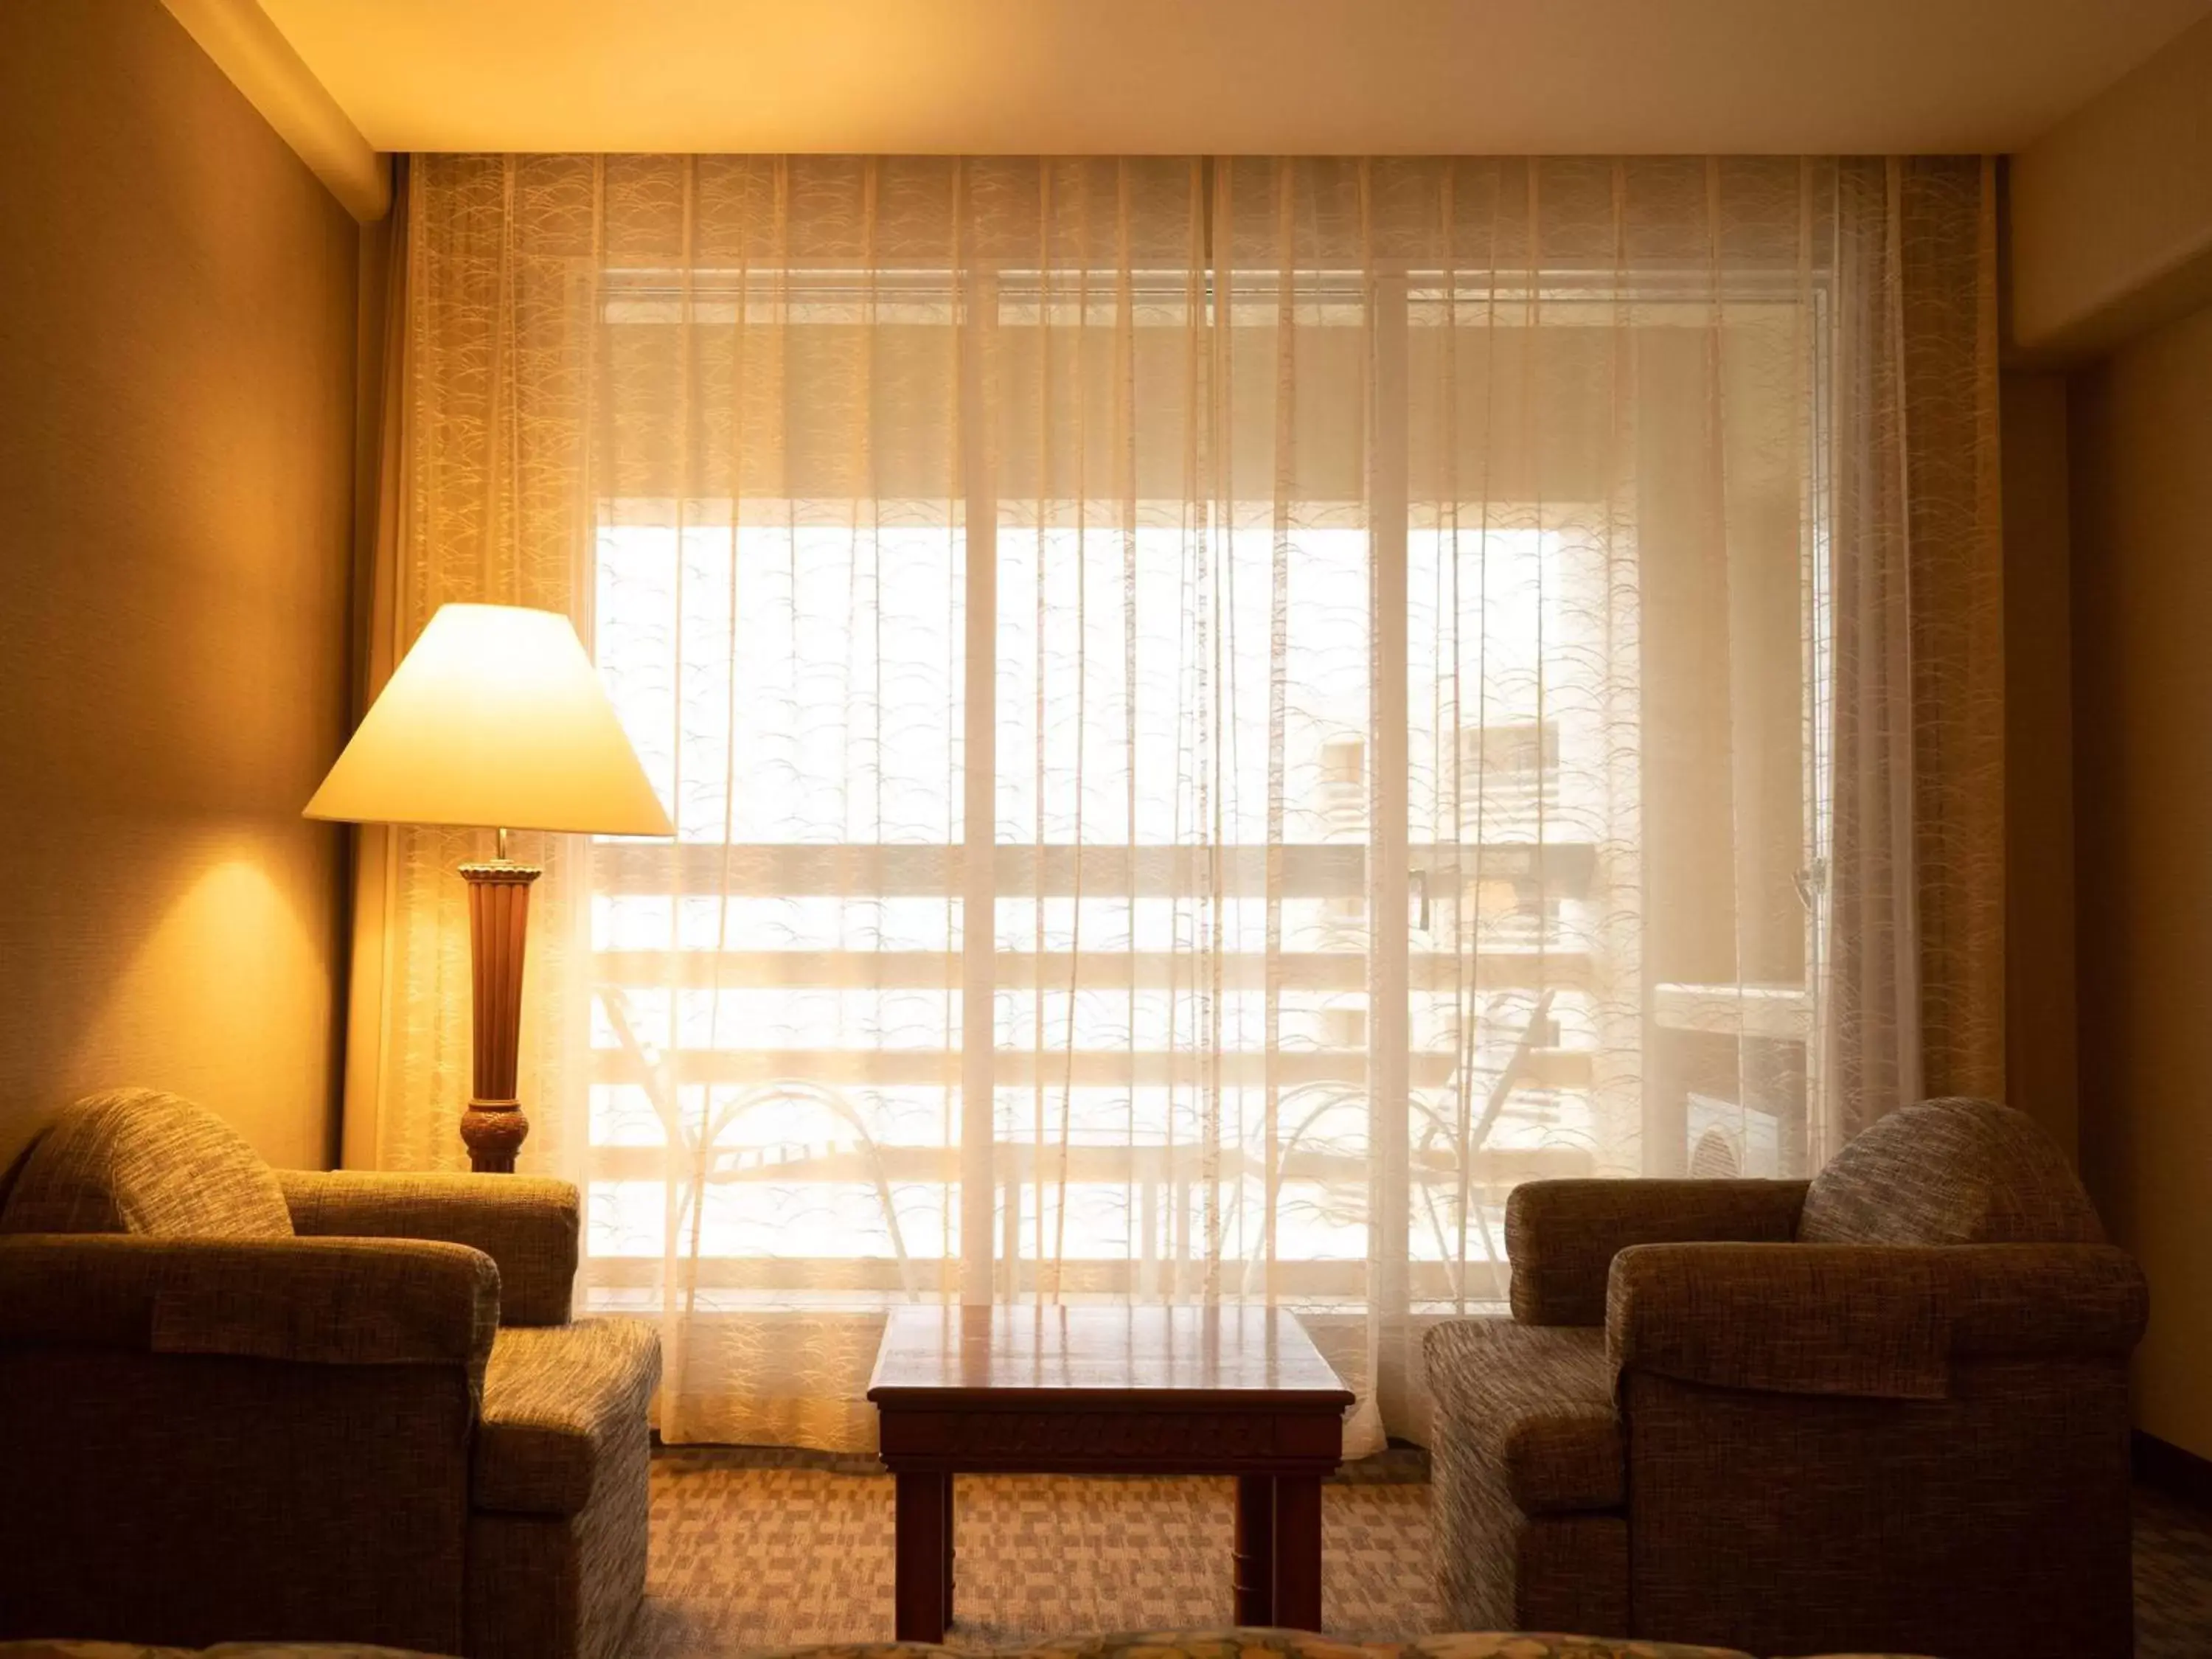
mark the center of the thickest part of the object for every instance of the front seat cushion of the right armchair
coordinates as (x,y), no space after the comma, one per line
(1538,1406)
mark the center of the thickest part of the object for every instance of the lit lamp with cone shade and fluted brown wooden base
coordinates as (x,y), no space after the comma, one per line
(494,720)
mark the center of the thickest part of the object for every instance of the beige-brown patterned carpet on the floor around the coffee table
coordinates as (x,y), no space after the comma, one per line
(758,1547)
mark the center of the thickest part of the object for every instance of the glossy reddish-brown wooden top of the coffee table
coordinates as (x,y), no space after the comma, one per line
(1145,1355)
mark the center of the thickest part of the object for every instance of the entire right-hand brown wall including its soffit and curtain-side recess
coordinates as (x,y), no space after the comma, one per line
(2111,295)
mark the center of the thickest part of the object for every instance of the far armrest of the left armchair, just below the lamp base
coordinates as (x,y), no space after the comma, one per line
(525,1224)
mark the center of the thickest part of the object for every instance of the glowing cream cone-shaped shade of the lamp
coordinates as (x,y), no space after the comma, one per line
(494,718)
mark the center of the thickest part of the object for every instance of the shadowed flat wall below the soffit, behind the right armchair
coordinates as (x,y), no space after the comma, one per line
(2142,519)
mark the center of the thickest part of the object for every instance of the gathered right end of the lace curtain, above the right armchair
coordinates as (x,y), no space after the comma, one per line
(1917,879)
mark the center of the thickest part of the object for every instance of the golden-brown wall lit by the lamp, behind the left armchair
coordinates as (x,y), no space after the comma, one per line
(176,468)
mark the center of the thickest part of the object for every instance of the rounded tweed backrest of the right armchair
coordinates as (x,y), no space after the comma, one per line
(1950,1173)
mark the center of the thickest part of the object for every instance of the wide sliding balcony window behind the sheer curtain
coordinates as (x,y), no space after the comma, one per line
(1313,831)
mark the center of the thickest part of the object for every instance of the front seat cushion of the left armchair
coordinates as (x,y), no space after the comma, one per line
(556,1401)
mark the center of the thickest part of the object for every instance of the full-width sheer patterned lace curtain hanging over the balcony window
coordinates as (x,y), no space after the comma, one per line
(1220,718)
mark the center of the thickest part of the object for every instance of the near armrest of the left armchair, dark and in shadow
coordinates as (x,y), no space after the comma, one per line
(313,1302)
